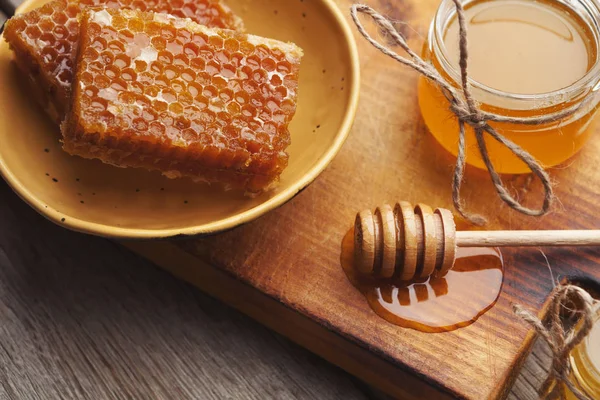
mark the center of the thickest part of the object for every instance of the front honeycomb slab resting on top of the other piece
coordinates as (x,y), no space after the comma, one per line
(167,94)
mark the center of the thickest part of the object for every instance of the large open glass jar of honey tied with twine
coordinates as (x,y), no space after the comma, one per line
(527,58)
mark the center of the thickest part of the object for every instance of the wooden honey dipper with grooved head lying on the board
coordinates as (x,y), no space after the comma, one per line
(408,243)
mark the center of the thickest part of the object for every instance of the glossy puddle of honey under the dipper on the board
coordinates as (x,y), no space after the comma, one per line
(437,304)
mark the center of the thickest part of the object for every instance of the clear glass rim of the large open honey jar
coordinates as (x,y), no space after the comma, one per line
(590,78)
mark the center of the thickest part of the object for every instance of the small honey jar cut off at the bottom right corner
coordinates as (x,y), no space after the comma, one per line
(585,362)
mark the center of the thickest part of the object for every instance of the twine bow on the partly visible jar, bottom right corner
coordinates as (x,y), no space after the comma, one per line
(560,339)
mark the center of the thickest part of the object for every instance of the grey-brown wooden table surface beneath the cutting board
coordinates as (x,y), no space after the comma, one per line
(83,318)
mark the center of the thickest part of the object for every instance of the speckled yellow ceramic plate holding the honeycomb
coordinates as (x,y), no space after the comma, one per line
(91,197)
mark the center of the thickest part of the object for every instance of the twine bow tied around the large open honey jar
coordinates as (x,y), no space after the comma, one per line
(467,112)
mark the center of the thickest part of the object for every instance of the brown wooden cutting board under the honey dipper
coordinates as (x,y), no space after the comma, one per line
(284,269)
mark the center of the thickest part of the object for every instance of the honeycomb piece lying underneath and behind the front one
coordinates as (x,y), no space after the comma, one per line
(44,40)
